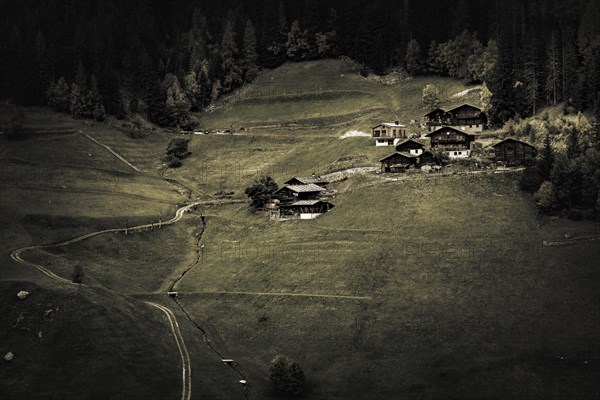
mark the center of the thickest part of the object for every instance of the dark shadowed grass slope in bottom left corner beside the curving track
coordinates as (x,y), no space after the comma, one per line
(86,342)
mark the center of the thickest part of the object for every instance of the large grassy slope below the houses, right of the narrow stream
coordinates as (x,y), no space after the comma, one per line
(463,295)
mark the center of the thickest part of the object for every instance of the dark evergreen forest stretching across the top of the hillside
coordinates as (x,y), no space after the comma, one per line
(164,59)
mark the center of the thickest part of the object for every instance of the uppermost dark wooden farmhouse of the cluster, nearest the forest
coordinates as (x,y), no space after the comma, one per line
(465,117)
